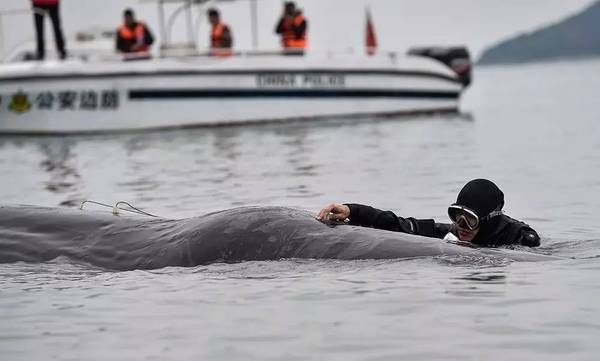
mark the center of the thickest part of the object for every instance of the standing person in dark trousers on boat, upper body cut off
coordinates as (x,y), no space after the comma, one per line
(50,8)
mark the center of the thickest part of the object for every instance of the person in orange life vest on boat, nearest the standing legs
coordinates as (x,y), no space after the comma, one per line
(133,36)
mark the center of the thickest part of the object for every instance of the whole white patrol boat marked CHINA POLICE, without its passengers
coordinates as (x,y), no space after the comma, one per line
(94,94)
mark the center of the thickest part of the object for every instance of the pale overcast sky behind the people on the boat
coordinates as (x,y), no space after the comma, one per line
(334,25)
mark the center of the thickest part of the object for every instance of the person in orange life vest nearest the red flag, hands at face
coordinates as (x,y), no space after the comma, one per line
(292,28)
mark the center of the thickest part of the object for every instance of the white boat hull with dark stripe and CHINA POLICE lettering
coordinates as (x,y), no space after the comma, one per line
(123,99)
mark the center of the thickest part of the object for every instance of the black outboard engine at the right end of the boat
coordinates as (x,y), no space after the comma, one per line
(456,58)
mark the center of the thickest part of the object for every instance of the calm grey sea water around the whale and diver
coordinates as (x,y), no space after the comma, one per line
(533,129)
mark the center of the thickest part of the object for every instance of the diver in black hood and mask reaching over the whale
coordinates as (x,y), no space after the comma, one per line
(476,215)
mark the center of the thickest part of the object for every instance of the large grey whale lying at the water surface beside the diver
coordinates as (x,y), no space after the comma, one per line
(41,234)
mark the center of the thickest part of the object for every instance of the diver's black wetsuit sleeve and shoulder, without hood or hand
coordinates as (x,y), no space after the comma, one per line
(499,231)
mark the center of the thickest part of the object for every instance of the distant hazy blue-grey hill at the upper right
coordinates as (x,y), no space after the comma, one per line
(576,36)
